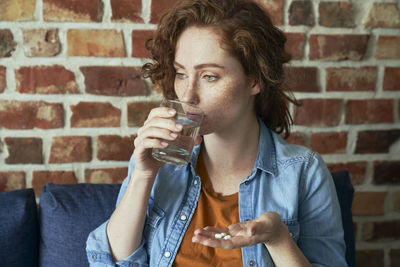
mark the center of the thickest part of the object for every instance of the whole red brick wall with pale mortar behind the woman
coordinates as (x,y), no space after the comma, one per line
(71,97)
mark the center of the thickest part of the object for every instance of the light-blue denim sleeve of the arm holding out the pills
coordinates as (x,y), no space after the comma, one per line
(321,231)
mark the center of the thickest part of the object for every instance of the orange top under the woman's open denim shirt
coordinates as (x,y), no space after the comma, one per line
(215,210)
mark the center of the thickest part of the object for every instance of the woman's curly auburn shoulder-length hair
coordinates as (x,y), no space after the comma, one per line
(247,33)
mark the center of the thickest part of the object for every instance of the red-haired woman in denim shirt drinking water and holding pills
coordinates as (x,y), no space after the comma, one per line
(277,202)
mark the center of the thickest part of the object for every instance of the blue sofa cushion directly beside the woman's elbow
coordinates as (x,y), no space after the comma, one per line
(67,214)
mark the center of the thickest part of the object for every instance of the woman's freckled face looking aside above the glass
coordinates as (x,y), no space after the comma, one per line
(212,79)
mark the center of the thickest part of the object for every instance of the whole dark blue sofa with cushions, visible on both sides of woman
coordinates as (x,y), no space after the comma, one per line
(55,236)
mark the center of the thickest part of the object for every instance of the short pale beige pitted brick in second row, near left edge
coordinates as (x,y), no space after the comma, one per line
(41,42)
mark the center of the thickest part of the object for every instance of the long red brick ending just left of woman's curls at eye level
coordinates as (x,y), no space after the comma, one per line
(115,81)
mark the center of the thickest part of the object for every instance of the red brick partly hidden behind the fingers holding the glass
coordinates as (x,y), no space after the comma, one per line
(138,112)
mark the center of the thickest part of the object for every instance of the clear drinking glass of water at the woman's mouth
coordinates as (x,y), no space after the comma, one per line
(178,151)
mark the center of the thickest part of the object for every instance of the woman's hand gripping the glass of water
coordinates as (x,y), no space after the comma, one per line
(158,128)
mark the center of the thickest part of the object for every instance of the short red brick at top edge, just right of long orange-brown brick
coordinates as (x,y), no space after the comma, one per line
(126,10)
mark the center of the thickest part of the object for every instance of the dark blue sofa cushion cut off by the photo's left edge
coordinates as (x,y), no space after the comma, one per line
(19,228)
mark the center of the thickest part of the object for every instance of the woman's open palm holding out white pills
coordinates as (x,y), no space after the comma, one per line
(267,229)
